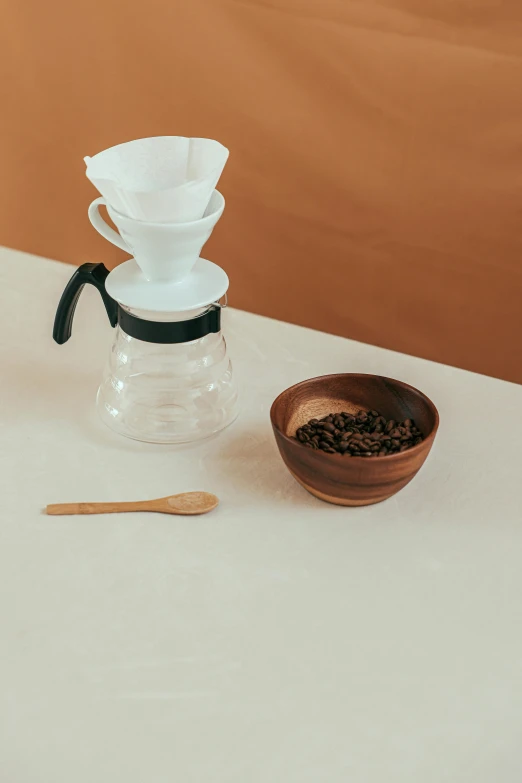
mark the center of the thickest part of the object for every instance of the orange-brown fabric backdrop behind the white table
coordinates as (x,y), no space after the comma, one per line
(374,185)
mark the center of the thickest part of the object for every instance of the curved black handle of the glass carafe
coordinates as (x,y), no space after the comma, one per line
(95,274)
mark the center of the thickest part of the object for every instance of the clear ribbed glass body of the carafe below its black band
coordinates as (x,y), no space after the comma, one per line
(165,393)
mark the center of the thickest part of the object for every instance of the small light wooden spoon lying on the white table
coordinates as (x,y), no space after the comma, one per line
(185,503)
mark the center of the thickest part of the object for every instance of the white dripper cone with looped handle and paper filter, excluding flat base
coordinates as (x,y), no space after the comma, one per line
(160,193)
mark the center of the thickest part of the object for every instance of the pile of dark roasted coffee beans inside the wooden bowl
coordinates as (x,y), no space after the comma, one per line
(367,434)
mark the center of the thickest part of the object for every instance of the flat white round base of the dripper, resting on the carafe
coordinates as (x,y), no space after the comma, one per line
(206,283)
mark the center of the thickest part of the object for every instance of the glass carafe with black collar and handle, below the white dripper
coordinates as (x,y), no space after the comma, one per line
(168,378)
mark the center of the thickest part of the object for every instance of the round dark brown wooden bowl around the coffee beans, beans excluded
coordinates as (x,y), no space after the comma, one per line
(352,481)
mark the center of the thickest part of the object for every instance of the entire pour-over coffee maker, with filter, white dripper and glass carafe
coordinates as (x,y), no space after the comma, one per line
(168,378)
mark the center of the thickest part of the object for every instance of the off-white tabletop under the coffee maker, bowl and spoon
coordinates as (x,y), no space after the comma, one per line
(278,638)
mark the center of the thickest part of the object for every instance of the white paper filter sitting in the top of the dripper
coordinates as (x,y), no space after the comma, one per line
(163,179)
